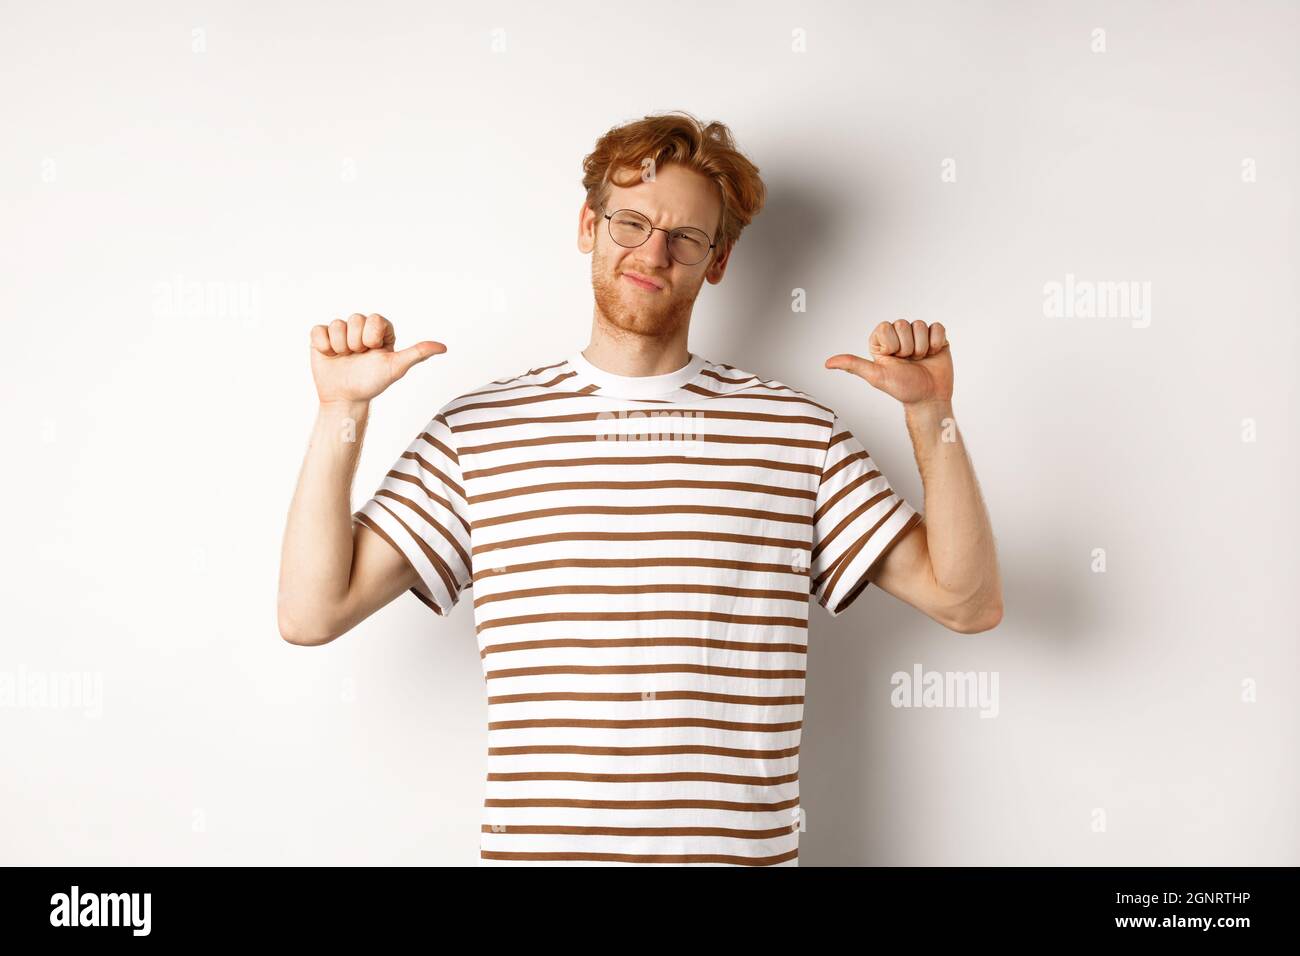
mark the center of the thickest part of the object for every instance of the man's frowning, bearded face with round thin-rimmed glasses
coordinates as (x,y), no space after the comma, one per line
(678,197)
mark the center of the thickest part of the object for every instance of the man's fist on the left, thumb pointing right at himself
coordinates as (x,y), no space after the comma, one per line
(354,361)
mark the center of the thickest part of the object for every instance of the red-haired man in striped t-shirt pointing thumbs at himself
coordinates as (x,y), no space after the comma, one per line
(642,529)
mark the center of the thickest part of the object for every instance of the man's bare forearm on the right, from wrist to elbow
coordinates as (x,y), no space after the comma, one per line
(959,534)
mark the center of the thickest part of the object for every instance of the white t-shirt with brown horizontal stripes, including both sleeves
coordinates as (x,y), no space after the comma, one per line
(642,552)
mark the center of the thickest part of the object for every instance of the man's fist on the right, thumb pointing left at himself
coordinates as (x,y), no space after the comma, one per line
(913,362)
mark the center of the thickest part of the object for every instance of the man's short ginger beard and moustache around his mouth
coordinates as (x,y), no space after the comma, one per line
(622,306)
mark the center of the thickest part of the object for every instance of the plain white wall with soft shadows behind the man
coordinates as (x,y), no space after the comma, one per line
(318,159)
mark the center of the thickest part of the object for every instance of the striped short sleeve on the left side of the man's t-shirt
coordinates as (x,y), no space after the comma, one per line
(421,509)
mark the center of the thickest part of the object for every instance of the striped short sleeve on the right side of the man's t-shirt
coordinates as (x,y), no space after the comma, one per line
(859,520)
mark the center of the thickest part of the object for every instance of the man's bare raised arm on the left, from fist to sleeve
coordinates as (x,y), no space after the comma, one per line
(333,577)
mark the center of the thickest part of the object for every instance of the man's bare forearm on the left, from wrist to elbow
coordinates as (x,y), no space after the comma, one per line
(317,557)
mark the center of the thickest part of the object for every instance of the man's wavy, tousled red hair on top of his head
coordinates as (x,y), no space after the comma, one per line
(678,137)
